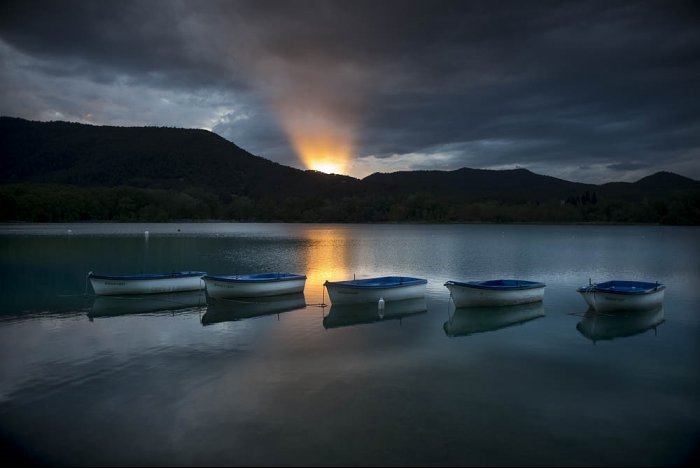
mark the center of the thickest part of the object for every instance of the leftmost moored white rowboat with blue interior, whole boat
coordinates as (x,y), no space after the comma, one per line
(146,283)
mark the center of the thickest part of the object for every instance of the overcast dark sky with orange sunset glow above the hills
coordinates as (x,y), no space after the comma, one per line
(583,90)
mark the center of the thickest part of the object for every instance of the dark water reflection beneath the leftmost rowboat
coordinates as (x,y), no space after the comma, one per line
(110,306)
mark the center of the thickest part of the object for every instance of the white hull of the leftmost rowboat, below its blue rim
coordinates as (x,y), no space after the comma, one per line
(118,286)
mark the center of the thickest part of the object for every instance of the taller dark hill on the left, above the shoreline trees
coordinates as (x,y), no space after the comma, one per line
(148,157)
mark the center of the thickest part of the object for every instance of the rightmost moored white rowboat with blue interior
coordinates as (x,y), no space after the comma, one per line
(623,295)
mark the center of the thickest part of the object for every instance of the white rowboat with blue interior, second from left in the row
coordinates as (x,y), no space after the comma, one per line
(255,285)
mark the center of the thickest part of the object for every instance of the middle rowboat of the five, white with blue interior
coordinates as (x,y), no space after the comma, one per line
(388,288)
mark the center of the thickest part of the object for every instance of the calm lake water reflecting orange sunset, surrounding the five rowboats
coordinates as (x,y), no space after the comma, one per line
(169,380)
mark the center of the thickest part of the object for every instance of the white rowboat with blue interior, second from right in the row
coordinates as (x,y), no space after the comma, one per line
(500,292)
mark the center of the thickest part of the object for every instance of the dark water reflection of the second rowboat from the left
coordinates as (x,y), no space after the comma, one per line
(229,310)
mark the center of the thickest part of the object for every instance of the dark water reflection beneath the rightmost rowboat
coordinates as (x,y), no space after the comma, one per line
(601,326)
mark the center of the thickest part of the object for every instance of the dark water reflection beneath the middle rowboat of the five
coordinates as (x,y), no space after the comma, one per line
(343,315)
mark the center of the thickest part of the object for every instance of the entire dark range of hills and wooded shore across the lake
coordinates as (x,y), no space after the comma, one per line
(70,171)
